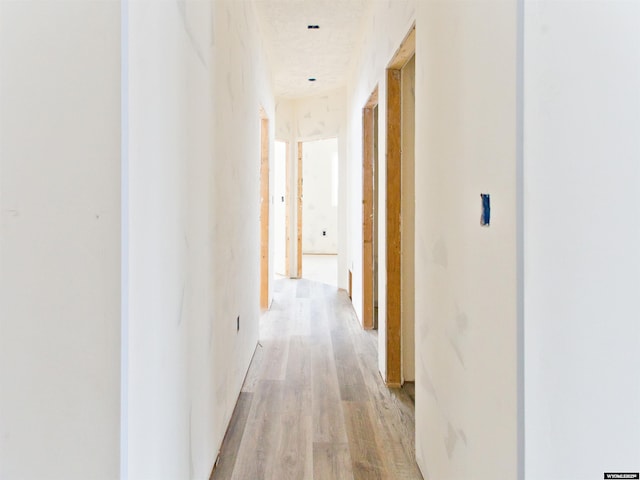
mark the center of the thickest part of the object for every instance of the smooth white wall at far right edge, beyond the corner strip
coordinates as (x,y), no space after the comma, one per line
(582,238)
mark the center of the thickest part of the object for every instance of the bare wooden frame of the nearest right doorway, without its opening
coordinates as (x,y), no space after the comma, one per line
(394,211)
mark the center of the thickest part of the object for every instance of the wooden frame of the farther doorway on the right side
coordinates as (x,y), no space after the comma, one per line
(368,192)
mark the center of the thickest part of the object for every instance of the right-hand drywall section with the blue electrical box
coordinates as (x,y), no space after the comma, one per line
(466,349)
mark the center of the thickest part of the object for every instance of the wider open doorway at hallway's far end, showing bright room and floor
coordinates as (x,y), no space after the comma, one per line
(318,210)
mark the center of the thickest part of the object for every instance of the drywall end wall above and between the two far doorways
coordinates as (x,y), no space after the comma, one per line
(309,119)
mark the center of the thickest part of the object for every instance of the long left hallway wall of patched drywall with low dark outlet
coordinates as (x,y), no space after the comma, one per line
(196,84)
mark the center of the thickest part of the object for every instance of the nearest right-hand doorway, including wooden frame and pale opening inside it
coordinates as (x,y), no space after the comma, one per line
(400,214)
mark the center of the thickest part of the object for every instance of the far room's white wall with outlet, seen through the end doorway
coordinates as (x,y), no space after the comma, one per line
(319,212)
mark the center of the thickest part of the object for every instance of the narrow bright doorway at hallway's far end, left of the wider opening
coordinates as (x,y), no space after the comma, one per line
(280,210)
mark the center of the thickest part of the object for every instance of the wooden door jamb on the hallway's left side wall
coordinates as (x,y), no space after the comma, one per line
(264,212)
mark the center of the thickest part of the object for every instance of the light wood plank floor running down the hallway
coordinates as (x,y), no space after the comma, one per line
(313,405)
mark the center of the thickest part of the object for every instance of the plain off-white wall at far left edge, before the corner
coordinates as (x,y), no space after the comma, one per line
(59,240)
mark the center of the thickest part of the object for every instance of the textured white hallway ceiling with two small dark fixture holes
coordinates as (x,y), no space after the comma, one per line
(297,53)
